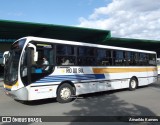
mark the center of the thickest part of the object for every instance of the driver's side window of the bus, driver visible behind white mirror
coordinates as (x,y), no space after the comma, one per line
(44,65)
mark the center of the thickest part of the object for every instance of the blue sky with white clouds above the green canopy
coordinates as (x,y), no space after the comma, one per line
(125,18)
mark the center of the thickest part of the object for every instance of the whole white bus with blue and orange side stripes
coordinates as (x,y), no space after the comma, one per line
(73,68)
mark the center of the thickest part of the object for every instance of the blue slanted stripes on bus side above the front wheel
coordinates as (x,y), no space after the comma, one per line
(60,78)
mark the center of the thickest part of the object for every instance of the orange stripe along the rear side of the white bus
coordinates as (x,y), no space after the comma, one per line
(123,70)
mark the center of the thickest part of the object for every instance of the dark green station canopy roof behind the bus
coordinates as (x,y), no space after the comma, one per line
(12,30)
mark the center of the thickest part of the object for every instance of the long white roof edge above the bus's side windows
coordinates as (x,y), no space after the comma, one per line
(30,38)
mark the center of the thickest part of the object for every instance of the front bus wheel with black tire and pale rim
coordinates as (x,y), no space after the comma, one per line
(65,93)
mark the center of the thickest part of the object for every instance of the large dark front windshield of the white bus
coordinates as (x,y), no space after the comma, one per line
(11,66)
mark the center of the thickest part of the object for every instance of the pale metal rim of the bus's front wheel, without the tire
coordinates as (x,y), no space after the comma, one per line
(65,93)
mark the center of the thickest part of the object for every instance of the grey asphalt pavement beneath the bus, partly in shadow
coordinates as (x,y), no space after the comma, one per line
(144,101)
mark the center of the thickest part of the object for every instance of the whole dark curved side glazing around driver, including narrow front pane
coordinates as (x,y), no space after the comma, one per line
(33,71)
